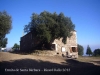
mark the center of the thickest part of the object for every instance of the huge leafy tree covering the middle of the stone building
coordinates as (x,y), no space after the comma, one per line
(48,26)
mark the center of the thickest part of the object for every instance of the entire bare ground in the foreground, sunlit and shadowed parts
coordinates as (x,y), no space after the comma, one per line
(21,64)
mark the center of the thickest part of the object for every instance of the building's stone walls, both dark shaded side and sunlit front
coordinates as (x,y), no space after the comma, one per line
(28,43)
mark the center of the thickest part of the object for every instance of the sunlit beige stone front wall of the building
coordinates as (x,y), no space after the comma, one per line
(62,48)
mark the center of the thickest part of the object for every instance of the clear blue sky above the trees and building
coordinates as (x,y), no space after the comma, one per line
(85,14)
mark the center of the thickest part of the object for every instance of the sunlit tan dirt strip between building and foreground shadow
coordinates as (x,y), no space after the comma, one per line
(5,56)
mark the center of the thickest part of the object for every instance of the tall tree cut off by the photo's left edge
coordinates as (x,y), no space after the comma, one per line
(5,27)
